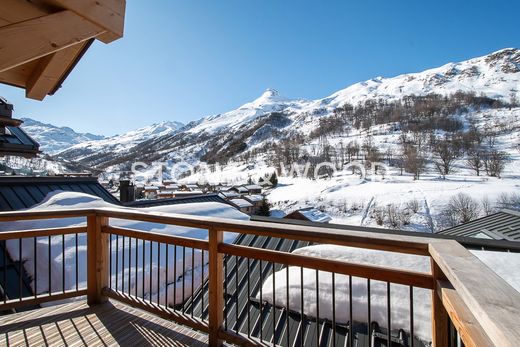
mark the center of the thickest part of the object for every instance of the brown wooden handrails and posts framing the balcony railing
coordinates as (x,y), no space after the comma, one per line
(481,305)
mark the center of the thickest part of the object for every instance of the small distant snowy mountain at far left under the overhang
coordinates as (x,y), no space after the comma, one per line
(53,139)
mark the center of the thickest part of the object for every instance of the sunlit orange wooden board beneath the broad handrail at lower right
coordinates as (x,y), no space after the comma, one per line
(470,331)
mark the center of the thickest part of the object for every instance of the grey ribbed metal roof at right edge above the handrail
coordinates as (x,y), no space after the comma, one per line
(503,225)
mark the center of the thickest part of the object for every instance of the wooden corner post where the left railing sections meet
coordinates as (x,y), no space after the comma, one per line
(97,259)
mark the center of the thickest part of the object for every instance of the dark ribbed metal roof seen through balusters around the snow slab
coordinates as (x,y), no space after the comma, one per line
(244,311)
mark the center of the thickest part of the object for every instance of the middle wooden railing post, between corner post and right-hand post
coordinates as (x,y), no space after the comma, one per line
(216,286)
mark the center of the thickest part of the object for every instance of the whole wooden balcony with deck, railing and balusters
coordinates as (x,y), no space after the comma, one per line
(149,288)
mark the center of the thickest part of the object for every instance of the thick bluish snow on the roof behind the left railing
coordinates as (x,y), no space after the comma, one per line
(66,200)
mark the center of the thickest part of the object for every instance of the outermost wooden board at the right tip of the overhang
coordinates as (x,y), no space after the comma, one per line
(108,14)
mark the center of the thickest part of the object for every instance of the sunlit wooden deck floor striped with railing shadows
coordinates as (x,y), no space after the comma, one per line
(110,324)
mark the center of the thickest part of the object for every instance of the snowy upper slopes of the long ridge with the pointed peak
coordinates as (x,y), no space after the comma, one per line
(272,117)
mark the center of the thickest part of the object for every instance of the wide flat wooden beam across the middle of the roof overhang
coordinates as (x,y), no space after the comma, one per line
(35,38)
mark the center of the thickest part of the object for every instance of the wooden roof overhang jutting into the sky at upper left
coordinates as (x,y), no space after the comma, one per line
(42,40)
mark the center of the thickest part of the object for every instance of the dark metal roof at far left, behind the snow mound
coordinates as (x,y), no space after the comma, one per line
(20,192)
